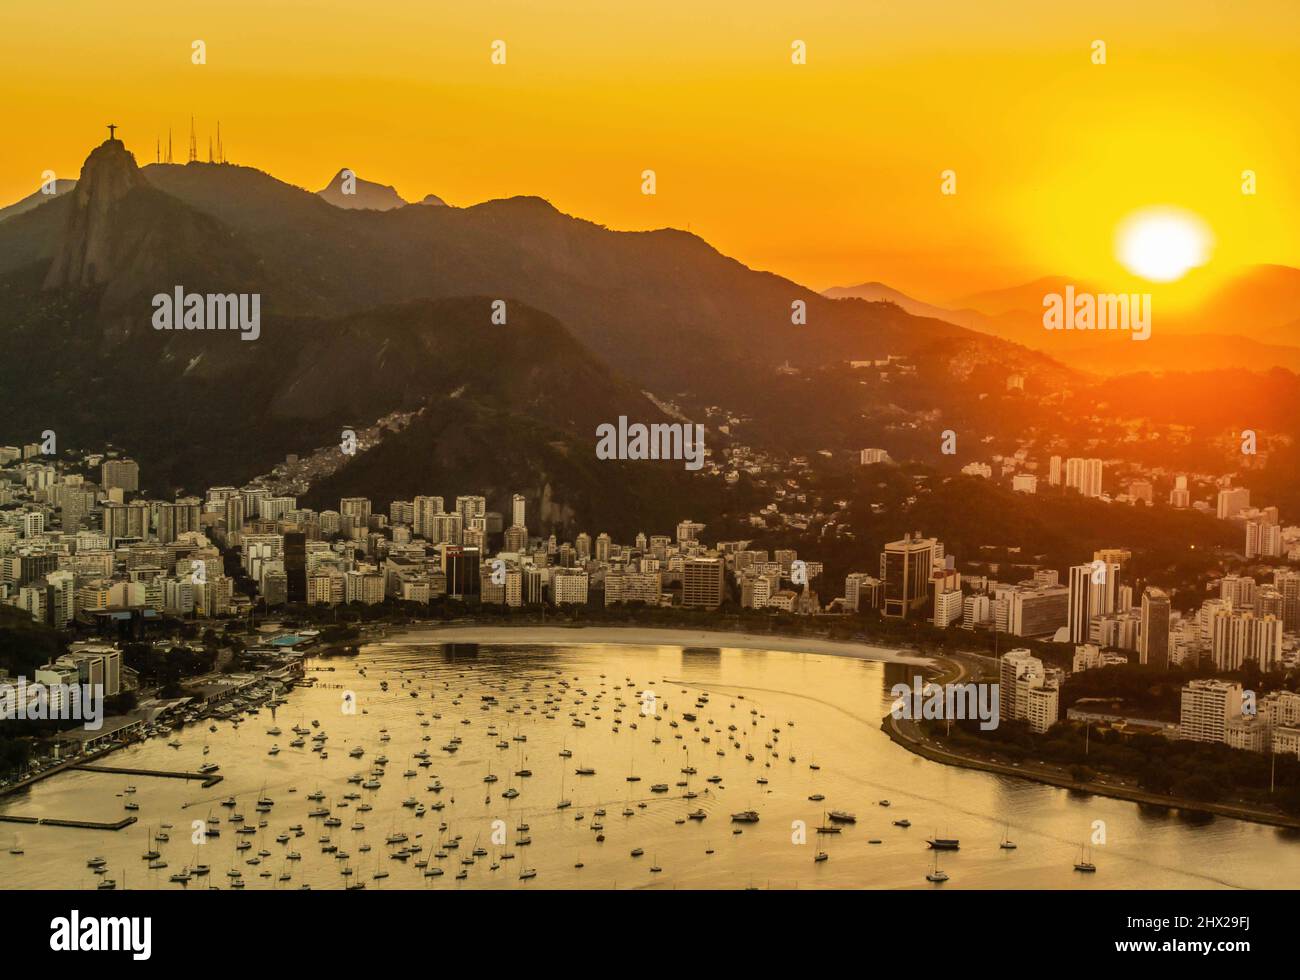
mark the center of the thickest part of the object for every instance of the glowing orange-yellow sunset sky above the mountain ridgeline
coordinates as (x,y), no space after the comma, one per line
(826,172)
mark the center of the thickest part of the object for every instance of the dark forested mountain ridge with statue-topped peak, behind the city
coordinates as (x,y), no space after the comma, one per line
(372,306)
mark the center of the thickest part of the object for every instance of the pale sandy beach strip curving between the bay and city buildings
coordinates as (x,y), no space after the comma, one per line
(635,636)
